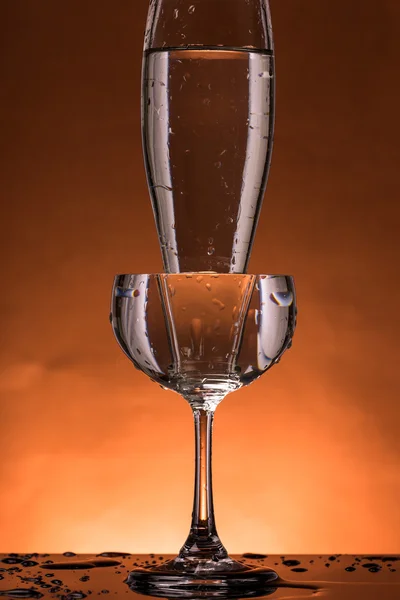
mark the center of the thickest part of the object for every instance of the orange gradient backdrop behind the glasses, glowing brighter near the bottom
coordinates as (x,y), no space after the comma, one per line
(94,456)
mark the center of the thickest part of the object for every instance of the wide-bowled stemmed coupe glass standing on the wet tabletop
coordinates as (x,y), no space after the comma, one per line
(203,335)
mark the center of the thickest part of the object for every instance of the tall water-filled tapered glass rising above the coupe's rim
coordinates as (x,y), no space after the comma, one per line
(208,120)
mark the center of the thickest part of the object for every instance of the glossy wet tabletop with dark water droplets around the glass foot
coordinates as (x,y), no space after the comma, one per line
(69,576)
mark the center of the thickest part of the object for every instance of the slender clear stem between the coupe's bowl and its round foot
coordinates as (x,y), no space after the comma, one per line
(203,540)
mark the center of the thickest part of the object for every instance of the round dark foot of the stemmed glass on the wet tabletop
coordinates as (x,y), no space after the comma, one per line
(225,578)
